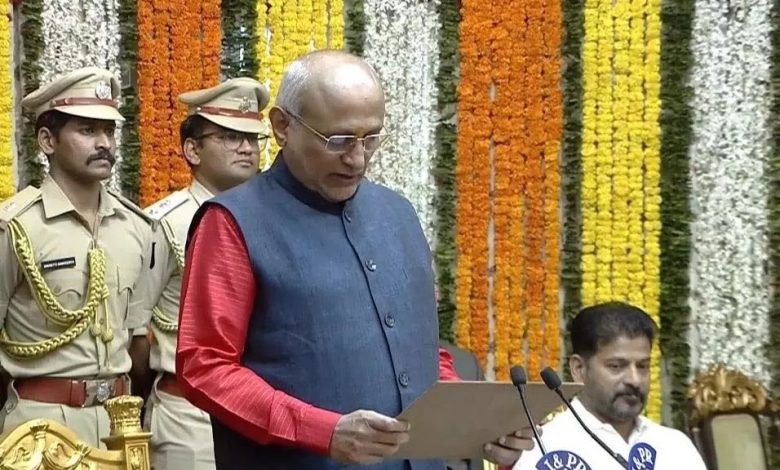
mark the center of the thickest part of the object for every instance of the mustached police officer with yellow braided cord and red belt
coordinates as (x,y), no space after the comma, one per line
(71,254)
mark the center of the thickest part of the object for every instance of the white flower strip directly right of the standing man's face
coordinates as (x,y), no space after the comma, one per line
(402,44)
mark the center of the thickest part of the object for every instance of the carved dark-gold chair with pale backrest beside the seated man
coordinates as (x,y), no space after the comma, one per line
(732,420)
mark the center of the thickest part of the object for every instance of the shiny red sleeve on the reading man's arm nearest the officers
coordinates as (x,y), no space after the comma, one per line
(217,297)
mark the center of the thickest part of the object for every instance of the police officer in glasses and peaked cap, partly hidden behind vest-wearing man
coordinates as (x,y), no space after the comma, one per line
(221,140)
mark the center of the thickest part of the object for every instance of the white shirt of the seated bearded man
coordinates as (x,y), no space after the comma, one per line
(650,446)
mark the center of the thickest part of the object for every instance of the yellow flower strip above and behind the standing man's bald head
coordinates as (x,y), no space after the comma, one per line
(294,27)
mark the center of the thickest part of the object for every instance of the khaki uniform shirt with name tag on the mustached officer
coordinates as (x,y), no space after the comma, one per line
(59,243)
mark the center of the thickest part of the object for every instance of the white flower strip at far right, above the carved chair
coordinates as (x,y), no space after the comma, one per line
(730,153)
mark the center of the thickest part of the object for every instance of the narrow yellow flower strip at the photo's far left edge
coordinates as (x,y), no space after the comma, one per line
(6,106)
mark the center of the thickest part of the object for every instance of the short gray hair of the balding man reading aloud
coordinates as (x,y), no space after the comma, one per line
(298,75)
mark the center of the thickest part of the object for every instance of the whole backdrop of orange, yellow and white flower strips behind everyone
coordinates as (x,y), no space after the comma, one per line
(559,153)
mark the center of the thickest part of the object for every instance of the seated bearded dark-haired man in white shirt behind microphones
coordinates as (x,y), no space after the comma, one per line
(611,346)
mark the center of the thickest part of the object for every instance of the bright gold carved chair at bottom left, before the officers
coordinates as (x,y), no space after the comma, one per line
(47,445)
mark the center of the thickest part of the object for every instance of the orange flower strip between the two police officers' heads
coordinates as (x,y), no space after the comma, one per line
(171,61)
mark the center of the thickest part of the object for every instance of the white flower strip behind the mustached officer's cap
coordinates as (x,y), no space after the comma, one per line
(80,36)
